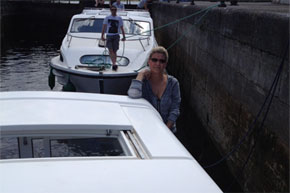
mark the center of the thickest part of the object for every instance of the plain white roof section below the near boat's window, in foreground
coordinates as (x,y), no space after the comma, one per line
(76,175)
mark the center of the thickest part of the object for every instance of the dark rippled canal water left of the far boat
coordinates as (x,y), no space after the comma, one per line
(25,57)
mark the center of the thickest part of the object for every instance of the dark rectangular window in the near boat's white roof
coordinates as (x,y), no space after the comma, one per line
(108,143)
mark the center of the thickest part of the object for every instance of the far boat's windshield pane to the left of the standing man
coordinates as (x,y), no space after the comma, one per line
(87,25)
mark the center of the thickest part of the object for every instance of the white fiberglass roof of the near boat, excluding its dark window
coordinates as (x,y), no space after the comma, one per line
(166,167)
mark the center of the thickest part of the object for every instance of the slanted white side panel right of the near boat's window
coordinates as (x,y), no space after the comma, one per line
(158,139)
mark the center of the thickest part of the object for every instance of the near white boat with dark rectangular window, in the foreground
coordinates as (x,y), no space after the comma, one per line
(83,142)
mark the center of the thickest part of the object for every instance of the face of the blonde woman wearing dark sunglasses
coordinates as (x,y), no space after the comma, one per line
(157,62)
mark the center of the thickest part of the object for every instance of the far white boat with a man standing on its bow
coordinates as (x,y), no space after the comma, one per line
(84,61)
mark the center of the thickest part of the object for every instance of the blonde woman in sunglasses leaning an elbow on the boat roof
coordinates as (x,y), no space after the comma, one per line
(159,88)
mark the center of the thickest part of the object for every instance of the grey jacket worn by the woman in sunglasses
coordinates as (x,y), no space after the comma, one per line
(167,106)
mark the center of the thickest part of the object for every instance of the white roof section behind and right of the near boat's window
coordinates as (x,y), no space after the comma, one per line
(88,114)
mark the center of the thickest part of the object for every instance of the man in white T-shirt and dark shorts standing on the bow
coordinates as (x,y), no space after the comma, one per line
(112,25)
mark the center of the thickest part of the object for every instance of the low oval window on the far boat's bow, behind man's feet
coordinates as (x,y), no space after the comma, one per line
(98,60)
